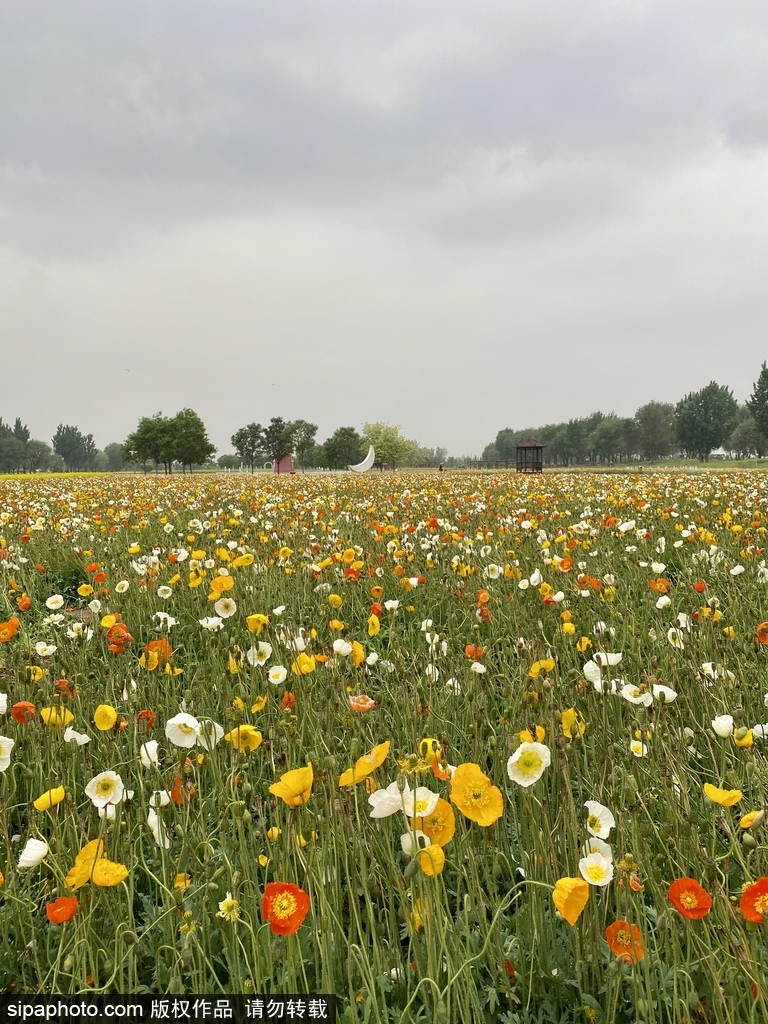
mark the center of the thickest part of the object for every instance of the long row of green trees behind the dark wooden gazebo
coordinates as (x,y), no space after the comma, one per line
(695,428)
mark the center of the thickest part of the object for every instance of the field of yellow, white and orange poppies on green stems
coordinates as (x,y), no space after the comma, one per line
(456,748)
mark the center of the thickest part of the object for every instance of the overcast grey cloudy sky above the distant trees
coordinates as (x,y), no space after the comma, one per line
(454,217)
